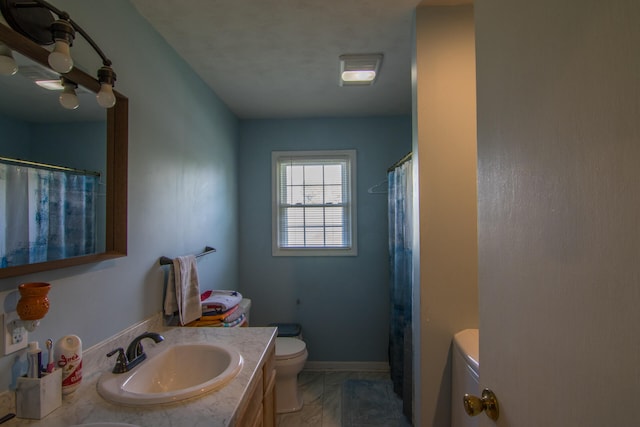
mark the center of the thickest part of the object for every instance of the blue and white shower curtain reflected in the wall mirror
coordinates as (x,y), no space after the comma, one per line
(46,215)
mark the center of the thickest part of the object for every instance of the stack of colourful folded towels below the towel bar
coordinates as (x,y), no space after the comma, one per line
(221,308)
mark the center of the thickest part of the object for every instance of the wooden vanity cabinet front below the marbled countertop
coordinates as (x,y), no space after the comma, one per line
(259,408)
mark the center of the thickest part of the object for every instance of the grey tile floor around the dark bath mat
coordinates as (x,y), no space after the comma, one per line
(322,394)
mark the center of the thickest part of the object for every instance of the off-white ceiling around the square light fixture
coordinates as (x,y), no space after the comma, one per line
(279,58)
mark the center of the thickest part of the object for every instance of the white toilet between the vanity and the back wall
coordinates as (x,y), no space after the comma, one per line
(291,354)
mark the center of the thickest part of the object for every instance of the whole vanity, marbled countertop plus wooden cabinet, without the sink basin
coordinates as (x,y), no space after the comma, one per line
(247,400)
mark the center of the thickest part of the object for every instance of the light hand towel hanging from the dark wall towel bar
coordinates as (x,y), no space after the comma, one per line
(187,289)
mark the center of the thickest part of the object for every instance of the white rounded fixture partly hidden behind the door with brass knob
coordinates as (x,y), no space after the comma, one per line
(464,375)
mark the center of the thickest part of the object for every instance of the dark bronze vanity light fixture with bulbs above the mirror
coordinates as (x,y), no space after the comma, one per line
(35,20)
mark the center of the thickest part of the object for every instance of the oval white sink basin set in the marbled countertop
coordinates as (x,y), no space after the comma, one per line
(179,372)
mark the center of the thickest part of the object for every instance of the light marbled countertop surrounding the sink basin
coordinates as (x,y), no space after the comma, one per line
(217,408)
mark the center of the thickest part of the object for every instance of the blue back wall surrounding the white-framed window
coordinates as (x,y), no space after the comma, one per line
(342,303)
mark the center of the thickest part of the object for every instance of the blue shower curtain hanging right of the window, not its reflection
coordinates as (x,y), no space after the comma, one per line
(400,193)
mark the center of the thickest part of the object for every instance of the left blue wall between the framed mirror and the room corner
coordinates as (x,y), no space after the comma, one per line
(182,185)
